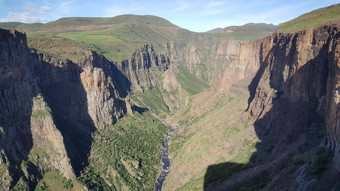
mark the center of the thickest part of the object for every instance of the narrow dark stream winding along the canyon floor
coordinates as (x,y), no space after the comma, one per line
(165,160)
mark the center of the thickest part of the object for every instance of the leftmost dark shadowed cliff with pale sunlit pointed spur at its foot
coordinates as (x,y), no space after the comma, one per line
(28,131)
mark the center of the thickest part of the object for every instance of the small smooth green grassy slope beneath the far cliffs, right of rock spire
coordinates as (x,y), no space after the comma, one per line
(189,82)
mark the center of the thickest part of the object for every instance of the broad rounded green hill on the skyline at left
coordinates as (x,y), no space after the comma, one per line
(115,37)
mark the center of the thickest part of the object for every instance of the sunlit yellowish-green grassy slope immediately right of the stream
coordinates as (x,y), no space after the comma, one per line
(207,137)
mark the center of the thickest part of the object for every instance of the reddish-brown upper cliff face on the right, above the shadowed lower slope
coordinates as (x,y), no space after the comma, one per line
(301,67)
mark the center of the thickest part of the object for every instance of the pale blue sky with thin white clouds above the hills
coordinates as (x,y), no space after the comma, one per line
(195,15)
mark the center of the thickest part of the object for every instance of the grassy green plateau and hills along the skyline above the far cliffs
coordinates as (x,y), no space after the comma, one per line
(118,37)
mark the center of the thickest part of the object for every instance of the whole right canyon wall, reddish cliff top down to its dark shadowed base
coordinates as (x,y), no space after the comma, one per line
(294,108)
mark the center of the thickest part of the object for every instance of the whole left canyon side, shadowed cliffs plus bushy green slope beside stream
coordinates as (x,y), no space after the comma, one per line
(55,114)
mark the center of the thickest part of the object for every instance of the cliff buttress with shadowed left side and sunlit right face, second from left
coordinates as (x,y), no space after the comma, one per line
(84,96)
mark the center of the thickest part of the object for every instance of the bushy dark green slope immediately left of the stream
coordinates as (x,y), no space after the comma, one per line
(126,155)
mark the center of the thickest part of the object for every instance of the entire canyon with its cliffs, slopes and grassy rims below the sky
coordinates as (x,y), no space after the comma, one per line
(258,114)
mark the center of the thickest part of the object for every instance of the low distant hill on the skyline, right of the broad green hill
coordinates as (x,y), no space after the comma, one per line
(251,30)
